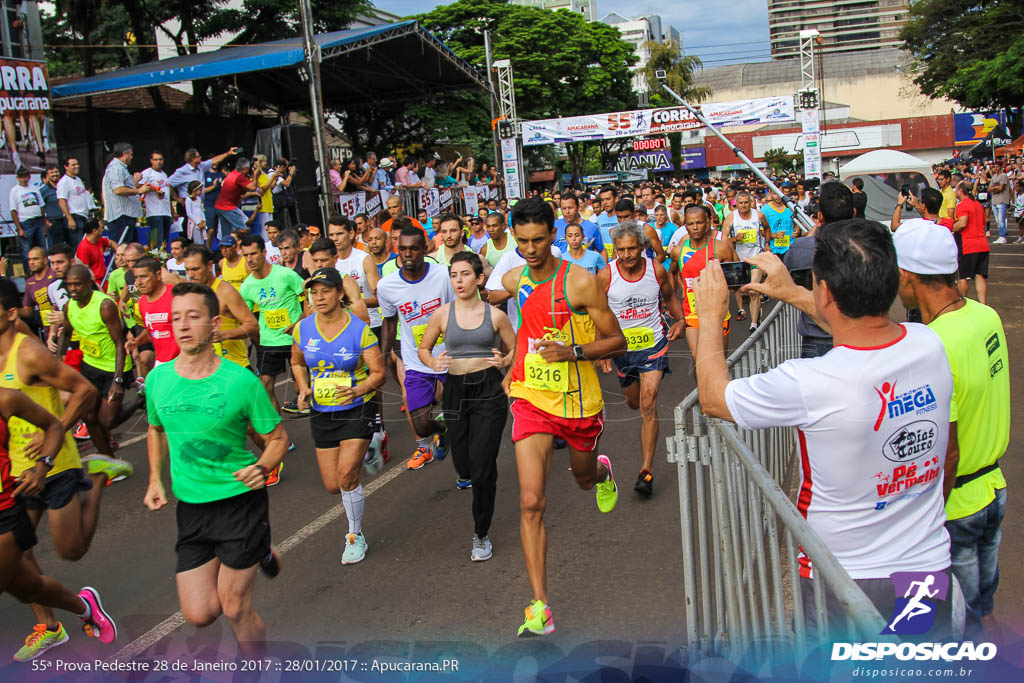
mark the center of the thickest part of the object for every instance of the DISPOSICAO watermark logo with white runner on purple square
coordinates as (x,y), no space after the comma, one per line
(920,597)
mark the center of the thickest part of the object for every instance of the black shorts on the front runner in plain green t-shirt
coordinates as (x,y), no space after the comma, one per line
(236,531)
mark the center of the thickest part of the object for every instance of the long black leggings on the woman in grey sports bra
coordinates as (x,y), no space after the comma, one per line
(476,412)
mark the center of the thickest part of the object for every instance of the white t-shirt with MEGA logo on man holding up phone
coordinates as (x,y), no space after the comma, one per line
(872,428)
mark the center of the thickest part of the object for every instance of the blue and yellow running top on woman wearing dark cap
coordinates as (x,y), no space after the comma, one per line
(334,363)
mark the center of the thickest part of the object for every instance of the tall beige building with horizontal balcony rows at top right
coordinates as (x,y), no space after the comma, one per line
(844,25)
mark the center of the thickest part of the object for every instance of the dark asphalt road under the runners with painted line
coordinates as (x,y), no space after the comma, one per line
(615,581)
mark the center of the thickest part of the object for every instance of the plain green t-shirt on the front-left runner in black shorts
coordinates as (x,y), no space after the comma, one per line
(205,422)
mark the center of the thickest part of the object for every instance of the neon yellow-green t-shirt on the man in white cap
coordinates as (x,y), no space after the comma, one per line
(976,348)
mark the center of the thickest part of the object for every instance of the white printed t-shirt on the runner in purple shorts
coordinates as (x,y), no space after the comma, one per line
(414,303)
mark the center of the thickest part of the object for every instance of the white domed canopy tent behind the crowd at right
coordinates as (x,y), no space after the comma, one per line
(884,174)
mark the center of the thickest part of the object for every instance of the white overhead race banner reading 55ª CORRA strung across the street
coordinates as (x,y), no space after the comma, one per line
(656,122)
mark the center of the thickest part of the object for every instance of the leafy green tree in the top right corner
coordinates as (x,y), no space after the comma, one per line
(971,53)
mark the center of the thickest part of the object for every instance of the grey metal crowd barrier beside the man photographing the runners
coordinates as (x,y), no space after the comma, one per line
(741,532)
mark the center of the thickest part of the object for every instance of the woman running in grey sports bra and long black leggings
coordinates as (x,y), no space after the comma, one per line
(480,345)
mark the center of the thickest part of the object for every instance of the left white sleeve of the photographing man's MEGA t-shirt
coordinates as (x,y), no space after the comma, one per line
(770,400)
